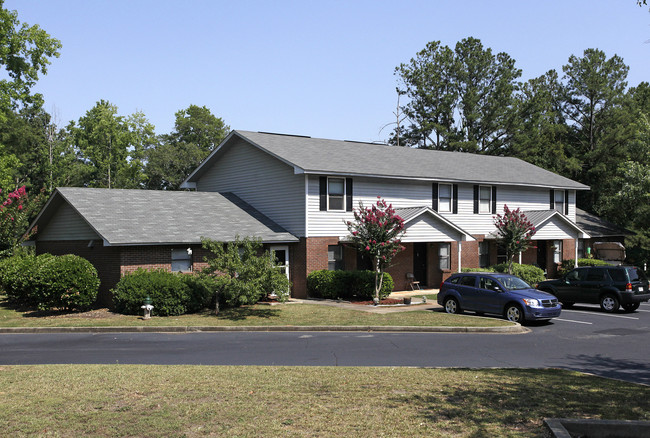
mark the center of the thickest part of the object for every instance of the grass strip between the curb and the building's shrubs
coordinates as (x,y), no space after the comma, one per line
(257,315)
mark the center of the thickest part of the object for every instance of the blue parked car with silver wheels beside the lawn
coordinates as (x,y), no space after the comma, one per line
(502,294)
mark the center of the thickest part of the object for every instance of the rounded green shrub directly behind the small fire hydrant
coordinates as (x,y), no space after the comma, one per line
(170,294)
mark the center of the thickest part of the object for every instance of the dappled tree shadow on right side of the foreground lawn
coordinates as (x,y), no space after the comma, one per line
(513,401)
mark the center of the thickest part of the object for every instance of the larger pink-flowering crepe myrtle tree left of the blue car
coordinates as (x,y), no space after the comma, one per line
(377,231)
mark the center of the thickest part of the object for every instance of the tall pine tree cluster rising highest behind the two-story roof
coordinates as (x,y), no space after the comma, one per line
(460,99)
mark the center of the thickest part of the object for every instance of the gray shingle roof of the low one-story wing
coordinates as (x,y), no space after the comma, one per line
(136,217)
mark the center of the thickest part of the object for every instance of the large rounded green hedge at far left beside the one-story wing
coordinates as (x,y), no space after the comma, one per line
(49,282)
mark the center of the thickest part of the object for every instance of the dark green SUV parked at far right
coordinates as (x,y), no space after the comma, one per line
(609,286)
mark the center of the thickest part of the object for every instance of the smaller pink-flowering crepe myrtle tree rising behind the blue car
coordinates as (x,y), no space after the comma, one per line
(514,232)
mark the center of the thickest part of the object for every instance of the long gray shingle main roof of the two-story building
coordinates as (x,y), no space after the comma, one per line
(316,155)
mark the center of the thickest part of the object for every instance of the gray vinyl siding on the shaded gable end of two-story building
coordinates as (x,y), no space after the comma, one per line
(266,183)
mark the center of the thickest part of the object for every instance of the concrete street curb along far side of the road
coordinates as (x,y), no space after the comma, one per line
(515,329)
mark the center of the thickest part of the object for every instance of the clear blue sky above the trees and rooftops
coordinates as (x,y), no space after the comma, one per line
(323,69)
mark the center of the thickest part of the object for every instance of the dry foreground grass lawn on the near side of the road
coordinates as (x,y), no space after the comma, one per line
(193,401)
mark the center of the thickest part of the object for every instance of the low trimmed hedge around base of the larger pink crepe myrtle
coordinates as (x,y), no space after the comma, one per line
(347,284)
